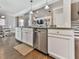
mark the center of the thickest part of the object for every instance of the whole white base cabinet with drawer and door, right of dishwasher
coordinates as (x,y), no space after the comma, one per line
(61,45)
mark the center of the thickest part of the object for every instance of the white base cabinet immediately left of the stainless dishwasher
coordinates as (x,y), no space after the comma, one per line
(27,36)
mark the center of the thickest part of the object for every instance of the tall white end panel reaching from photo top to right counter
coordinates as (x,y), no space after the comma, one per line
(67,12)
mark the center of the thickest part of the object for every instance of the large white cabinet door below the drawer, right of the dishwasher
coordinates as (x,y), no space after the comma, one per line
(58,47)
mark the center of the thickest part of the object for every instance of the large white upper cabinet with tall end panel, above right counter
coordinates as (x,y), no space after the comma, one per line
(62,14)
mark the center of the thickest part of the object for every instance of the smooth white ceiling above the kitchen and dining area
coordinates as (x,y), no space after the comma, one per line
(19,6)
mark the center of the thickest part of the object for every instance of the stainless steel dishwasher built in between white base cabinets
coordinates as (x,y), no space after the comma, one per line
(40,40)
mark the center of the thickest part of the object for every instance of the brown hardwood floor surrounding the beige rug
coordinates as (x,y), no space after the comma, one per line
(8,52)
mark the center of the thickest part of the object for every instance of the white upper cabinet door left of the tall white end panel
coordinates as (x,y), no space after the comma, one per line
(58,19)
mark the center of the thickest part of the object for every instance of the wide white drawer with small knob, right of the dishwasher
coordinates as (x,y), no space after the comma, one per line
(61,32)
